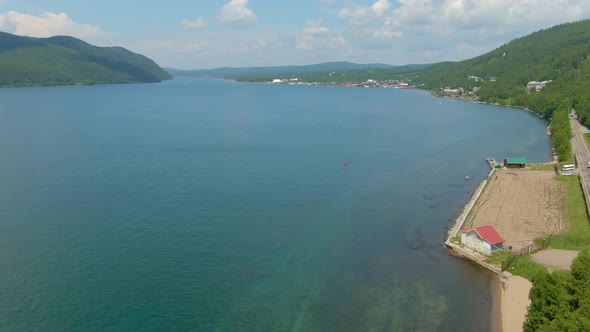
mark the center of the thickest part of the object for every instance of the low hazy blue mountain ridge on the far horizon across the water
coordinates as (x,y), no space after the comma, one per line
(241,72)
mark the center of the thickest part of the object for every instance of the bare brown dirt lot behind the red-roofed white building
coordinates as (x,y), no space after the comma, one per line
(522,206)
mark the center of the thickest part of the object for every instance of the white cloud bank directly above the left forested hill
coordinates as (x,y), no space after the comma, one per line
(47,24)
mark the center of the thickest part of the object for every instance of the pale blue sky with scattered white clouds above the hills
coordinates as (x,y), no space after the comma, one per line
(200,34)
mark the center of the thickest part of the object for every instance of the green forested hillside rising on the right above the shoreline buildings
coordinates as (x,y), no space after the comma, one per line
(560,54)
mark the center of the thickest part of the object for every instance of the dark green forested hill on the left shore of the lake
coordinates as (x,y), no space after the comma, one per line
(63,60)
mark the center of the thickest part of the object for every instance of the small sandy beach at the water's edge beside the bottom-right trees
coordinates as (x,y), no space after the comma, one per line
(511,299)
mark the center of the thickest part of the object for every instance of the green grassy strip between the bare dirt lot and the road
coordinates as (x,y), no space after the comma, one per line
(577,235)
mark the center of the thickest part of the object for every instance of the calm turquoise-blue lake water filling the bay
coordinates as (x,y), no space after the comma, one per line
(217,206)
